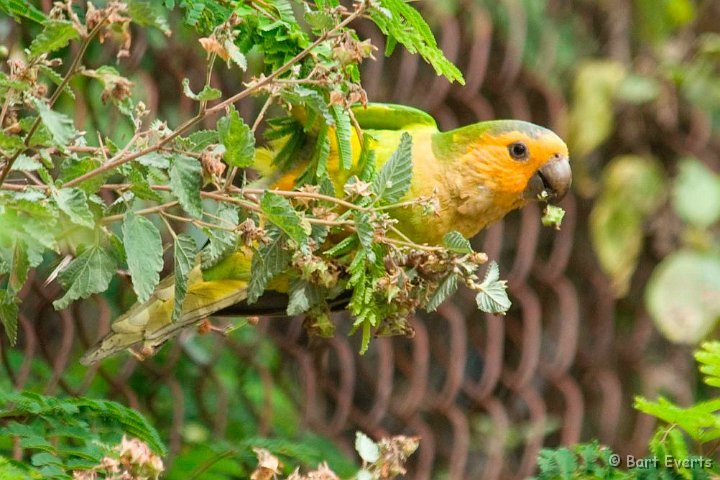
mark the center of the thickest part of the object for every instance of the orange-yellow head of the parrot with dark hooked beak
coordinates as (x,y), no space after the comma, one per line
(500,165)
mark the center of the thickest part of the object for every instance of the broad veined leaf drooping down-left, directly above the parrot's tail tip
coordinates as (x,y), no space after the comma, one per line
(89,273)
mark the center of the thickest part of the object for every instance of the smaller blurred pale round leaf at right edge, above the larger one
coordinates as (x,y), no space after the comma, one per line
(696,194)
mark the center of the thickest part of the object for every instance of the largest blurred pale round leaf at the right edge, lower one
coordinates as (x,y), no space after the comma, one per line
(681,296)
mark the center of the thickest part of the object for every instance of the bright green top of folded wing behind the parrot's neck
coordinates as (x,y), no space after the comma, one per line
(387,116)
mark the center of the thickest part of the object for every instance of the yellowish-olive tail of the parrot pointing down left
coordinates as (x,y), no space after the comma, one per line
(149,324)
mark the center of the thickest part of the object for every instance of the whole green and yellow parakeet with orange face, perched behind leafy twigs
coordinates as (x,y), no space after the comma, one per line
(477,173)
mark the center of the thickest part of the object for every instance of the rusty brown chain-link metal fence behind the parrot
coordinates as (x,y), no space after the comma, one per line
(485,393)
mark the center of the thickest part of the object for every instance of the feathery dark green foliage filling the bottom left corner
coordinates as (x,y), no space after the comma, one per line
(64,435)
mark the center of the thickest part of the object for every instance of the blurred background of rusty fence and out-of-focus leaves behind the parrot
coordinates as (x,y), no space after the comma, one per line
(598,307)
